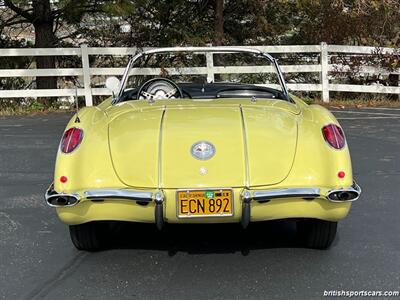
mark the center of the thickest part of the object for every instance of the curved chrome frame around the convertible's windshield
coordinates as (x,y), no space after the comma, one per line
(220,49)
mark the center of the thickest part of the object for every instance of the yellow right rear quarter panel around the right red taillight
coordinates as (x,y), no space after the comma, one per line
(316,163)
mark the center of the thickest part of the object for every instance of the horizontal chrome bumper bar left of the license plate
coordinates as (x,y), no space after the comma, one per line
(119,194)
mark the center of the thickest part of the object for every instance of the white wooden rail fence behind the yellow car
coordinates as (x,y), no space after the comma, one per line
(323,68)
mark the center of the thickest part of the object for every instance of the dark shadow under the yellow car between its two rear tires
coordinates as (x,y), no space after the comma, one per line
(204,238)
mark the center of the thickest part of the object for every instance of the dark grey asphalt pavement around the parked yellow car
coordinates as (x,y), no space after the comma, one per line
(37,259)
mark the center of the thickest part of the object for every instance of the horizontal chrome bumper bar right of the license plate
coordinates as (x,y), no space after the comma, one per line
(285,193)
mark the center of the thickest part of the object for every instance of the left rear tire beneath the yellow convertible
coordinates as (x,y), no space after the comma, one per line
(88,236)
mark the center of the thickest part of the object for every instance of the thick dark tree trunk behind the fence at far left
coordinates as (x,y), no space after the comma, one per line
(44,38)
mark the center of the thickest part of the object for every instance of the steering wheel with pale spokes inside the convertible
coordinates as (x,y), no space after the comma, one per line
(159,88)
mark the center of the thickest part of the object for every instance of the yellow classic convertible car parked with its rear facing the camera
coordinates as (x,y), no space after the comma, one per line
(202,149)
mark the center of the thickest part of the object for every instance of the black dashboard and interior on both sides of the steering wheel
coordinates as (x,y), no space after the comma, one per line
(217,90)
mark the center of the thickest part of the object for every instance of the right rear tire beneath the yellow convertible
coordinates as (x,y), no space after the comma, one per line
(316,234)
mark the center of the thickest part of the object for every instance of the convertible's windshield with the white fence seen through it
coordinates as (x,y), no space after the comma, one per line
(202,73)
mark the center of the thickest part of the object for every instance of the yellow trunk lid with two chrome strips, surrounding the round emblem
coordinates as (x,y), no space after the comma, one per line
(255,144)
